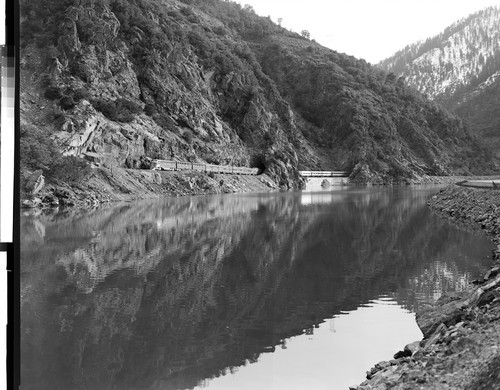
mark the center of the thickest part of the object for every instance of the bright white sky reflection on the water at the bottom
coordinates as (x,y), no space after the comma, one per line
(323,357)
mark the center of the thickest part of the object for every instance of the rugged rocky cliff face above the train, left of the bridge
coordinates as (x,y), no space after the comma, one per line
(119,102)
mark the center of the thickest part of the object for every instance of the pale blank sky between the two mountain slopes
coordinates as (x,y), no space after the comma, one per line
(369,29)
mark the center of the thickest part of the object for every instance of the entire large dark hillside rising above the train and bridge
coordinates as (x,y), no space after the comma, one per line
(125,82)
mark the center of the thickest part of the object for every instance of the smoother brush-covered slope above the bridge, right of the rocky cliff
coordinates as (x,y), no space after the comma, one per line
(358,110)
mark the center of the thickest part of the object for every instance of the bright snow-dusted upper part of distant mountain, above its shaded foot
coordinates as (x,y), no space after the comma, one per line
(453,62)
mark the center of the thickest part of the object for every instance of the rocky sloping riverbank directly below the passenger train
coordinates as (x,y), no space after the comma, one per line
(113,185)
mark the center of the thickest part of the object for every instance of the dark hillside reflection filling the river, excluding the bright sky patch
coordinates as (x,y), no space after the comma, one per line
(146,302)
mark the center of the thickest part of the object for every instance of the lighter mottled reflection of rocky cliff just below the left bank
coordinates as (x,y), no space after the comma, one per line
(135,236)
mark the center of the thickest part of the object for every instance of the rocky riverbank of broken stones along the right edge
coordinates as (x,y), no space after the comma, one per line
(461,344)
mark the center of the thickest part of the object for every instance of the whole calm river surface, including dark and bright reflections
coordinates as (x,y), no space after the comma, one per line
(254,291)
